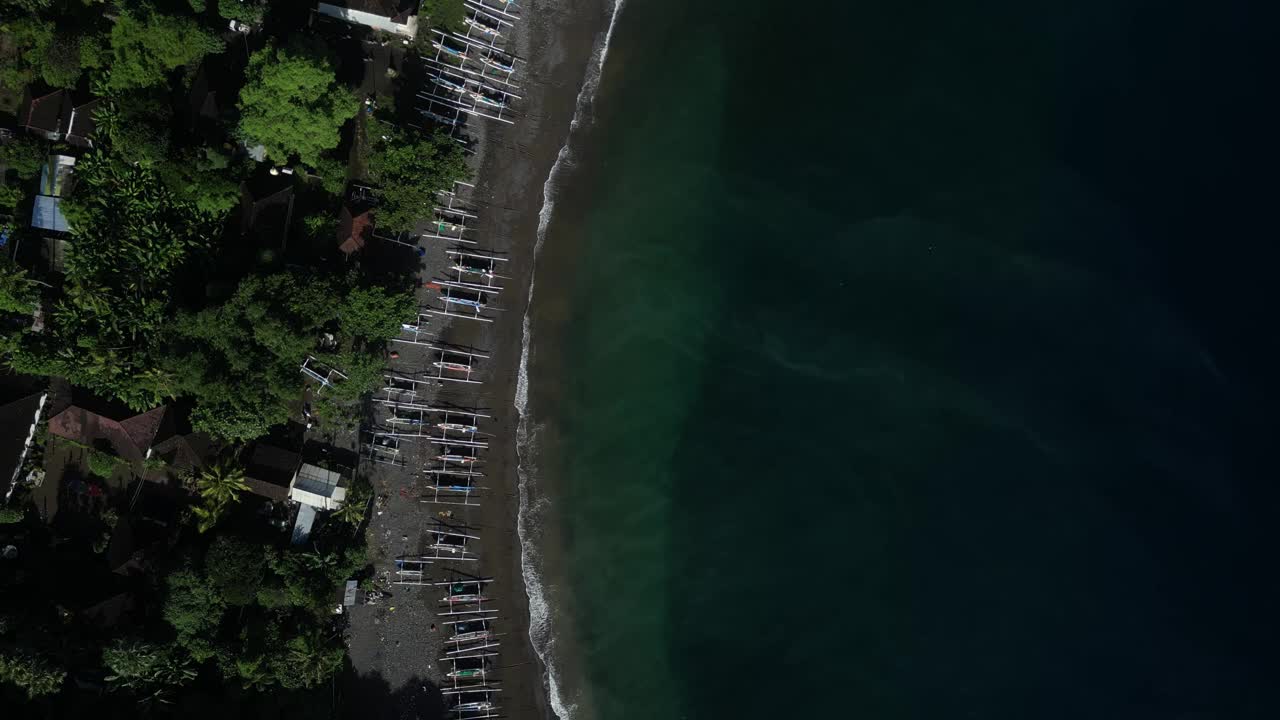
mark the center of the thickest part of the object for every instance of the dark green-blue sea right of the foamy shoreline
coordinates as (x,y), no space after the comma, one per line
(911,361)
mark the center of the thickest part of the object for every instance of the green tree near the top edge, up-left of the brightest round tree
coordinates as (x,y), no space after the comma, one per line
(147,45)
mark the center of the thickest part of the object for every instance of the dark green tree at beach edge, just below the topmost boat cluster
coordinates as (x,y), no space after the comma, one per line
(412,168)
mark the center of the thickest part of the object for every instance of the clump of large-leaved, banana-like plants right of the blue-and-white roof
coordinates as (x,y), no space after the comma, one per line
(130,236)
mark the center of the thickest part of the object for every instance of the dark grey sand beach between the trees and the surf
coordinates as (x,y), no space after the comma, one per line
(392,644)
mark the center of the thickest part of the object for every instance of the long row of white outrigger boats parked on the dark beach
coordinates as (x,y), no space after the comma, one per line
(470,75)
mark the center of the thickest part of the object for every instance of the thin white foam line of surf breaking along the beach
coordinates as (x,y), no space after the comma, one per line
(541,632)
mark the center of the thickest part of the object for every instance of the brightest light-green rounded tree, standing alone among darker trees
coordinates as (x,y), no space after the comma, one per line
(291,103)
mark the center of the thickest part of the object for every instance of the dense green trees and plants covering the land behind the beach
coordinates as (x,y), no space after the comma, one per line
(163,295)
